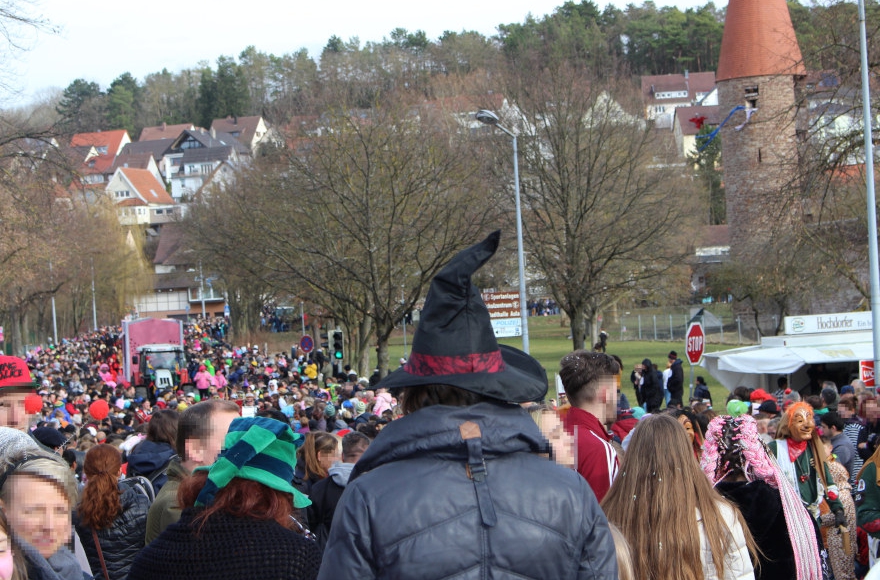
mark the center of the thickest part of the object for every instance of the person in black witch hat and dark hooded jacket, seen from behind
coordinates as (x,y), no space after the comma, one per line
(457,487)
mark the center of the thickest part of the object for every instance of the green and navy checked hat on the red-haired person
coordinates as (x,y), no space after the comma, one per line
(259,449)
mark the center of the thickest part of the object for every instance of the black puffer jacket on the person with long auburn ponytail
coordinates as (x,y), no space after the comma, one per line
(122,541)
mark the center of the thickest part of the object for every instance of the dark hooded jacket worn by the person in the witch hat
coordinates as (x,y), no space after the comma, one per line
(415,508)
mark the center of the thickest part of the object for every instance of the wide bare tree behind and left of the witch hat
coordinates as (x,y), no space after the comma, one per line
(362,211)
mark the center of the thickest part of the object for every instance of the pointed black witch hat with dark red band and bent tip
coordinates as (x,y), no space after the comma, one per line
(455,345)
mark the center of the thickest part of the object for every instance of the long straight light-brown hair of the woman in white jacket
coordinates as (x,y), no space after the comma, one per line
(655,499)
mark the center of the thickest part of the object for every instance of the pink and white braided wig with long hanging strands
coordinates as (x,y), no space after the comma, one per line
(751,456)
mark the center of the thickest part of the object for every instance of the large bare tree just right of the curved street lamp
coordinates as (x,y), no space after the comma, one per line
(606,210)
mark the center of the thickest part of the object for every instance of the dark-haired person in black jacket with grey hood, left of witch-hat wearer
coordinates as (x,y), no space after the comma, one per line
(325,493)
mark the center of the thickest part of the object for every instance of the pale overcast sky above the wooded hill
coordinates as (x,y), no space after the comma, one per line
(101,39)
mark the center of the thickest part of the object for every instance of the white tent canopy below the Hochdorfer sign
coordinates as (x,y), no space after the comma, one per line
(757,366)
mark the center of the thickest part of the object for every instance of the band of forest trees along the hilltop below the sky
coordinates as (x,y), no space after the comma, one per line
(612,43)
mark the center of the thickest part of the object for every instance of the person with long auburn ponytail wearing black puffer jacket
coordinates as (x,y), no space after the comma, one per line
(110,521)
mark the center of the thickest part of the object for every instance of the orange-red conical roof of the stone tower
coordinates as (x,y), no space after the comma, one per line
(759,40)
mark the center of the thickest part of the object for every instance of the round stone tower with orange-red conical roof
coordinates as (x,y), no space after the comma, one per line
(759,64)
